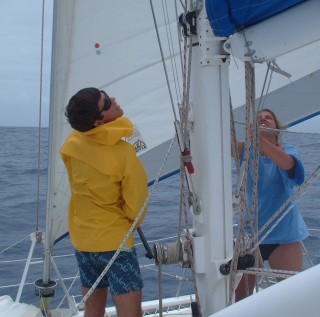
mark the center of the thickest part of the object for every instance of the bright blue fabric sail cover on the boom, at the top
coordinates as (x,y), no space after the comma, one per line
(229,16)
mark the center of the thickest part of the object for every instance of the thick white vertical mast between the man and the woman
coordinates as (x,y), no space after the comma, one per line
(211,152)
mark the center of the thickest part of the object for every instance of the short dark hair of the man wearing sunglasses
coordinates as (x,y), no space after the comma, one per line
(82,110)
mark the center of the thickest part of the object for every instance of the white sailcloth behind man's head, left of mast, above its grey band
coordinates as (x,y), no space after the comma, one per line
(111,45)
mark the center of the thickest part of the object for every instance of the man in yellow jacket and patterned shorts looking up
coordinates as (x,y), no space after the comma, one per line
(108,190)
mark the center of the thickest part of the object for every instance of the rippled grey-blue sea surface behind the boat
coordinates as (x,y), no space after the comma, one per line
(23,182)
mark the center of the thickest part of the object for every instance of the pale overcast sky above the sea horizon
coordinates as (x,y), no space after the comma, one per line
(20,64)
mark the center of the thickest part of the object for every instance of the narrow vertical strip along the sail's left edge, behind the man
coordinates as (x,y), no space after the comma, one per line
(58,188)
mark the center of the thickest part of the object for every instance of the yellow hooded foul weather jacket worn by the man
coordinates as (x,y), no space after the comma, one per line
(108,186)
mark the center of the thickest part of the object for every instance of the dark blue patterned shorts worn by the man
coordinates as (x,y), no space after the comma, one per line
(123,275)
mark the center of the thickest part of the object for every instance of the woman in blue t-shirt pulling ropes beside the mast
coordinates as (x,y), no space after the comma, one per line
(280,169)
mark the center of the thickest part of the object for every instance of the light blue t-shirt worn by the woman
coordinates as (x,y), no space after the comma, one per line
(274,188)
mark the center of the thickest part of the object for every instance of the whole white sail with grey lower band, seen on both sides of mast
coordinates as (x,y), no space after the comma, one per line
(112,45)
